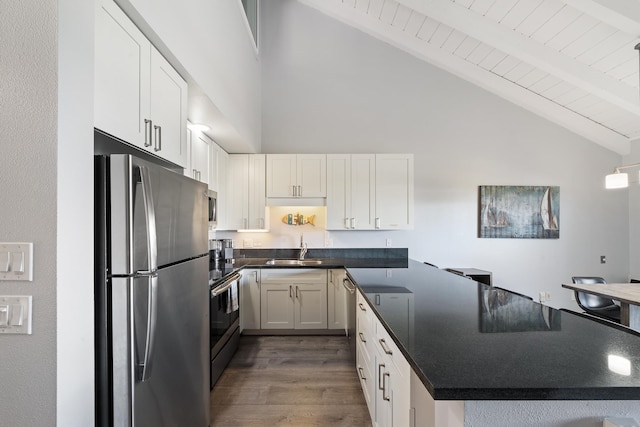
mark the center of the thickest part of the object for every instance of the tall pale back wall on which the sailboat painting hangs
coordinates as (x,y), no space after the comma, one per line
(332,89)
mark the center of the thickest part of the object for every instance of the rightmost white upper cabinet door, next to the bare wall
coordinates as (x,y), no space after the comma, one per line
(394,191)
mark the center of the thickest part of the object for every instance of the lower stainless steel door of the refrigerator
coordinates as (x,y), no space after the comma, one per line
(161,348)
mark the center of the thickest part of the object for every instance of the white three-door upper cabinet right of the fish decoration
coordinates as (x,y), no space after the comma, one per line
(369,191)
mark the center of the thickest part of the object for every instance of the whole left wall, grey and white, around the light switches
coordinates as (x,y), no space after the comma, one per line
(46,147)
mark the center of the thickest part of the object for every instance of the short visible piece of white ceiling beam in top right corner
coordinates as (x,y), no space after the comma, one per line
(621,14)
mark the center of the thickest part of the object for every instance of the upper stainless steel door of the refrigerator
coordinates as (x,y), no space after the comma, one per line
(156,216)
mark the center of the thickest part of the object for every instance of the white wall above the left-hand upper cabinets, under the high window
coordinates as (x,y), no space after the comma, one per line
(211,41)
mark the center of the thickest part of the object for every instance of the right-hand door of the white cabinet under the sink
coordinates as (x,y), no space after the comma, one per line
(311,306)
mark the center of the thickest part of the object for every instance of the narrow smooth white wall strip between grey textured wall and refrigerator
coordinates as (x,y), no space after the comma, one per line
(74,247)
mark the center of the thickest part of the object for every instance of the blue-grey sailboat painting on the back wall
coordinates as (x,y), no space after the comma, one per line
(519,212)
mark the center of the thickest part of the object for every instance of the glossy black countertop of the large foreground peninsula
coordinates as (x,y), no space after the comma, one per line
(467,341)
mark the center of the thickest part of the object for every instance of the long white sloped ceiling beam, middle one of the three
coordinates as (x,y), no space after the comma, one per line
(529,51)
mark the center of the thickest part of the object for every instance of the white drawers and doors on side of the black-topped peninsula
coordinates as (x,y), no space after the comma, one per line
(379,359)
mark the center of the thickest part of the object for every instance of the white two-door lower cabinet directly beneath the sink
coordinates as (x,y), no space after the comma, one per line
(293,299)
